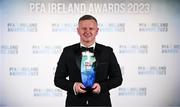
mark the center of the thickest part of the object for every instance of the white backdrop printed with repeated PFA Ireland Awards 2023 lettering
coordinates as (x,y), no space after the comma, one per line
(144,34)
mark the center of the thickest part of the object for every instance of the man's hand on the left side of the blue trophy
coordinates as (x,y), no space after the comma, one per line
(79,88)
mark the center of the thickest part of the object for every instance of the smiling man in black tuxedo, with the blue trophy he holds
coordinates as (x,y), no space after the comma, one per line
(88,70)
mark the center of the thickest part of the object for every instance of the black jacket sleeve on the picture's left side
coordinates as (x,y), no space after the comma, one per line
(61,74)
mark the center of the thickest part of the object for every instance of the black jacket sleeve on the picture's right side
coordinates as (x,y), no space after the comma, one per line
(115,77)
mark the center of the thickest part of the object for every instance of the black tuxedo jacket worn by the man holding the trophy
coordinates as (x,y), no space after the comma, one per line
(108,75)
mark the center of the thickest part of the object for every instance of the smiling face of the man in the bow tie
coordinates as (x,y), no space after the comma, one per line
(87,30)
